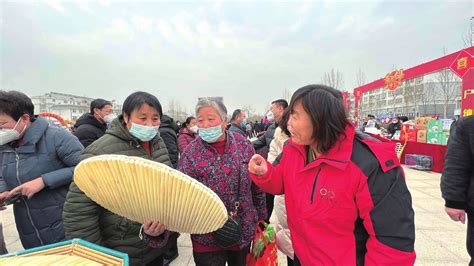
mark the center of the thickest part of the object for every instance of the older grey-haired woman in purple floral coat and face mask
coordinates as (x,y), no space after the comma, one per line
(218,158)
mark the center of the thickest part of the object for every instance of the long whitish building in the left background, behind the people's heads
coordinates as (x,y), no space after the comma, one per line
(68,106)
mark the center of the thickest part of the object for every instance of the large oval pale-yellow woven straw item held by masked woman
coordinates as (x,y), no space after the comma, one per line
(143,190)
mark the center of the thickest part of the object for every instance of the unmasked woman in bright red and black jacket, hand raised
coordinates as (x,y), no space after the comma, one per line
(346,197)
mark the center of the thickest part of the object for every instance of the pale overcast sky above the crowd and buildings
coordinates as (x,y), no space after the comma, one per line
(249,52)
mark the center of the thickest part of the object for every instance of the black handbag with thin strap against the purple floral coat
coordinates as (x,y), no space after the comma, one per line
(231,233)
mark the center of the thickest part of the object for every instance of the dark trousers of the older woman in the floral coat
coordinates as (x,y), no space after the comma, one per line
(219,258)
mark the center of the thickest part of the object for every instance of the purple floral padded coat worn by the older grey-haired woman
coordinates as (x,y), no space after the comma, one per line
(221,173)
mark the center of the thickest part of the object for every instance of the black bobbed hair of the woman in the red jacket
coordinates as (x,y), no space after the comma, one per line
(328,116)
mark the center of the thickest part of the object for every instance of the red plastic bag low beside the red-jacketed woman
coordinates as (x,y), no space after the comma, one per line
(269,256)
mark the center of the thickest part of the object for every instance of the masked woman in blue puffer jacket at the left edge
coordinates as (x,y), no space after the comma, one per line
(36,161)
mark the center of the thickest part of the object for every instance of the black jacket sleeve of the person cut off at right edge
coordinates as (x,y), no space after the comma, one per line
(458,166)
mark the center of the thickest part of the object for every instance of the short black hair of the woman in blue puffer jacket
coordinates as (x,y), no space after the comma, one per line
(16,104)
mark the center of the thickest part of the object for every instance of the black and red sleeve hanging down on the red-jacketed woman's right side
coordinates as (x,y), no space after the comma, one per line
(385,228)
